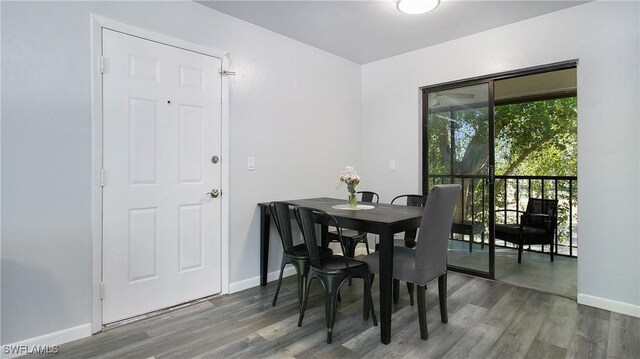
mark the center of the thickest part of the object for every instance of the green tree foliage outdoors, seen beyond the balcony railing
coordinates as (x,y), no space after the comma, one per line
(531,139)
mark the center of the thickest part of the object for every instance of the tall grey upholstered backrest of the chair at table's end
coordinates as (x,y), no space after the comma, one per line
(431,250)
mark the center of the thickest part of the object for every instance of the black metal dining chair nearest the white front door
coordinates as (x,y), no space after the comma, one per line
(296,255)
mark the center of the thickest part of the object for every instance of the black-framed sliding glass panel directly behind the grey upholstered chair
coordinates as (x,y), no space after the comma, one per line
(458,148)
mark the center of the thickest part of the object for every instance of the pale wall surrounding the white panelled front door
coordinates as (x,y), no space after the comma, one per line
(289,105)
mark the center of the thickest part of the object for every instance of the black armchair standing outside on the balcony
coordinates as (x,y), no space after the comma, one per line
(536,225)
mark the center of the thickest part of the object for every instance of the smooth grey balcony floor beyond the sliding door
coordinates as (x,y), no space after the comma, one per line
(536,270)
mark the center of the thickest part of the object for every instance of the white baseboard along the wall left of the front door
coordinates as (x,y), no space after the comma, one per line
(47,340)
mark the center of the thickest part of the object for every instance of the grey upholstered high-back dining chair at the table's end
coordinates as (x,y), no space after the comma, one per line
(429,259)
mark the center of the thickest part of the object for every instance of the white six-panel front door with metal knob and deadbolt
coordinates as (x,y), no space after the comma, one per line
(161,128)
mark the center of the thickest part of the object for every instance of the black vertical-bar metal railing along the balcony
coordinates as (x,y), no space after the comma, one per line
(513,192)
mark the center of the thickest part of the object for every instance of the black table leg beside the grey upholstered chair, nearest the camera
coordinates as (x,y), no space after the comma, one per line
(386,280)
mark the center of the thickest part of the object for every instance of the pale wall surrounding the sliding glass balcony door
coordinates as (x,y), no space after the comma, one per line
(604,36)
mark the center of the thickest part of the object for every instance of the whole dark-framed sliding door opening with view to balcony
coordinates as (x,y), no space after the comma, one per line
(508,139)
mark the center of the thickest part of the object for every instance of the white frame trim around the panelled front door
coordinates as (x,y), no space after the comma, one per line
(98,23)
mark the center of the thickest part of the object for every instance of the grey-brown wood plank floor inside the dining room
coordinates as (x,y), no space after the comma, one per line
(487,319)
